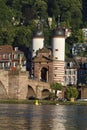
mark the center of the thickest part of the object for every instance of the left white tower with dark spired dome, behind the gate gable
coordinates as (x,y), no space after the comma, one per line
(38,40)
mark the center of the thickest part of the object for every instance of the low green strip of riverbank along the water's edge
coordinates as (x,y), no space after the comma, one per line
(42,102)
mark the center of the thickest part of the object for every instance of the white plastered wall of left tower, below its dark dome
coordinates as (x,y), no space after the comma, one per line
(37,43)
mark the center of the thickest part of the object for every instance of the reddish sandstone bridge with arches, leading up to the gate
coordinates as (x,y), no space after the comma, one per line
(14,85)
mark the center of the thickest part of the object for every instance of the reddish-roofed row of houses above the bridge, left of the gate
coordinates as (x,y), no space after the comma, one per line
(11,58)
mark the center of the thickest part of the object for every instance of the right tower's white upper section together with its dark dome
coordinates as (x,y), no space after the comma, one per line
(58,43)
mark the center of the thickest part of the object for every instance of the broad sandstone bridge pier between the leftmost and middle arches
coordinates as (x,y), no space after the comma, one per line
(18,85)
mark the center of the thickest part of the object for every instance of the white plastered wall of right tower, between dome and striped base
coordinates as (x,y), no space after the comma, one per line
(59,48)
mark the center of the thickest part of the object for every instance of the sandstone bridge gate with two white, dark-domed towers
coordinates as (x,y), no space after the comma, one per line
(48,64)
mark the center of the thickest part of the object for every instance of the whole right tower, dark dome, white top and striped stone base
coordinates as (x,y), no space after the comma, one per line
(58,48)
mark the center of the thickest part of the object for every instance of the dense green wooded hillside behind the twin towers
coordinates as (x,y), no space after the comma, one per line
(17,19)
